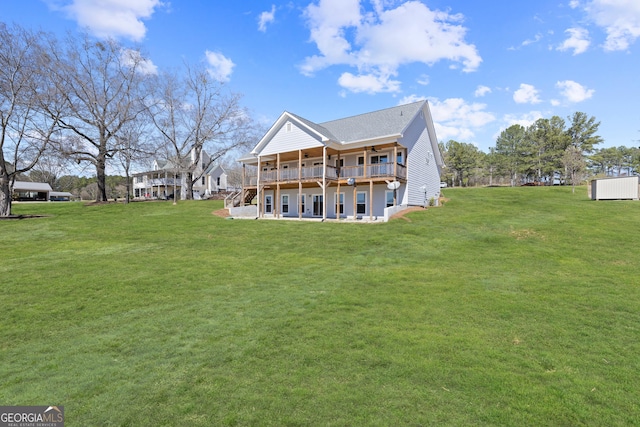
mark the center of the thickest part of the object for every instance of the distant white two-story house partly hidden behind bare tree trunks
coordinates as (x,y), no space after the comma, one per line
(168,177)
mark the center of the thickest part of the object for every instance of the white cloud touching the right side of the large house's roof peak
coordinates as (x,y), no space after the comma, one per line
(454,118)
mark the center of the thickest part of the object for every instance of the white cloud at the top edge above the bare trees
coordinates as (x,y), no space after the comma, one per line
(113,18)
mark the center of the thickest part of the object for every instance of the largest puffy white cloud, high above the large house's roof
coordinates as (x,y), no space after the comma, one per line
(377,42)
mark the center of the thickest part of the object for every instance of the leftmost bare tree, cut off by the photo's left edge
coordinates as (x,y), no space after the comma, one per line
(24,131)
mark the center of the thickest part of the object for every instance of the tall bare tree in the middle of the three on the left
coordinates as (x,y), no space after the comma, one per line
(100,82)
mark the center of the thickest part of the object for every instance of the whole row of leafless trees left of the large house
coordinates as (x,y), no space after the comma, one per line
(86,101)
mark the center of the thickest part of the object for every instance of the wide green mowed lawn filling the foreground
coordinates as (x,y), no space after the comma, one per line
(507,306)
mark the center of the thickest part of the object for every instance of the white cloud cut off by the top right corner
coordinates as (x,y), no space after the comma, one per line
(620,20)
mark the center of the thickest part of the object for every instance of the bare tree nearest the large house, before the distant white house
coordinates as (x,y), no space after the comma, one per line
(196,113)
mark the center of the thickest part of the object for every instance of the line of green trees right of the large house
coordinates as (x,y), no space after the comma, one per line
(549,151)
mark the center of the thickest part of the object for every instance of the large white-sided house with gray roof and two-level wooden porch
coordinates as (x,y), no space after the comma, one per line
(362,167)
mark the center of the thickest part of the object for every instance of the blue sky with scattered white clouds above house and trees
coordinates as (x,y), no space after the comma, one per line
(483,65)
